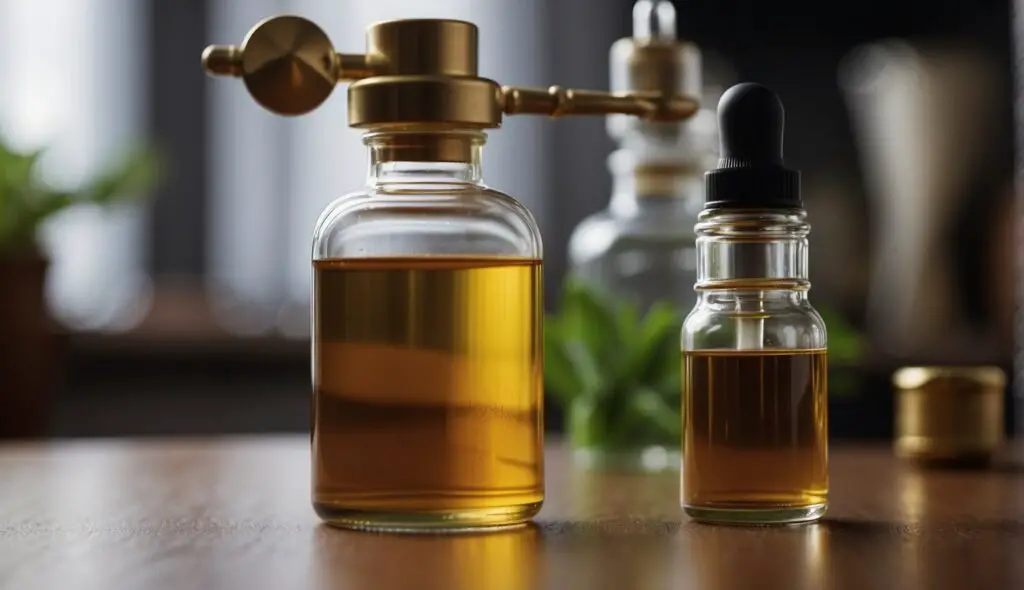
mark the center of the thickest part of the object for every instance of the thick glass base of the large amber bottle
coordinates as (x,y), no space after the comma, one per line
(457,521)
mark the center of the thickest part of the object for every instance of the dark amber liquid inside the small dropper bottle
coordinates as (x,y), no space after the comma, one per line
(756,435)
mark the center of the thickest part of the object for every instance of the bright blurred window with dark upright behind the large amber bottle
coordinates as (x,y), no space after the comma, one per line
(226,246)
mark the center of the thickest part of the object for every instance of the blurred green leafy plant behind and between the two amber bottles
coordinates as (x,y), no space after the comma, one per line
(617,372)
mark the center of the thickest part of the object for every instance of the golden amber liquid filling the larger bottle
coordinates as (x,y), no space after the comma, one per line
(428,392)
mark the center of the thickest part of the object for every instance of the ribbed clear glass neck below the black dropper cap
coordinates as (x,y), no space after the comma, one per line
(753,249)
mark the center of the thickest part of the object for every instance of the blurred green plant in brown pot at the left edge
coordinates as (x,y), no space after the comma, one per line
(28,361)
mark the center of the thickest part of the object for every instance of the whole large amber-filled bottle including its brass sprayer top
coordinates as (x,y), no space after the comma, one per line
(428,355)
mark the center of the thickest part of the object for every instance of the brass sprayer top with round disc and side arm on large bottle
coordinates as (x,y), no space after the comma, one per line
(414,72)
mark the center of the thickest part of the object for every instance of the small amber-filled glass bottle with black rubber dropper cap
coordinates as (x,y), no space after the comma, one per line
(755,384)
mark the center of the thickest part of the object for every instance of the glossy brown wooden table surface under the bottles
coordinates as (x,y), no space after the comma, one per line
(235,514)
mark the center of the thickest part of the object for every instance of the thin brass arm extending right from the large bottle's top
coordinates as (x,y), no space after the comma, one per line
(559,102)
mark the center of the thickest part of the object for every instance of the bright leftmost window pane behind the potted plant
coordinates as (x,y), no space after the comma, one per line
(72,81)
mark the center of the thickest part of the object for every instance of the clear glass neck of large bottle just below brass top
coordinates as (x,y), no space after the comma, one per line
(418,157)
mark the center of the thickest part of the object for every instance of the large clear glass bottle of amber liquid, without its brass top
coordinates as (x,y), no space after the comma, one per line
(428,356)
